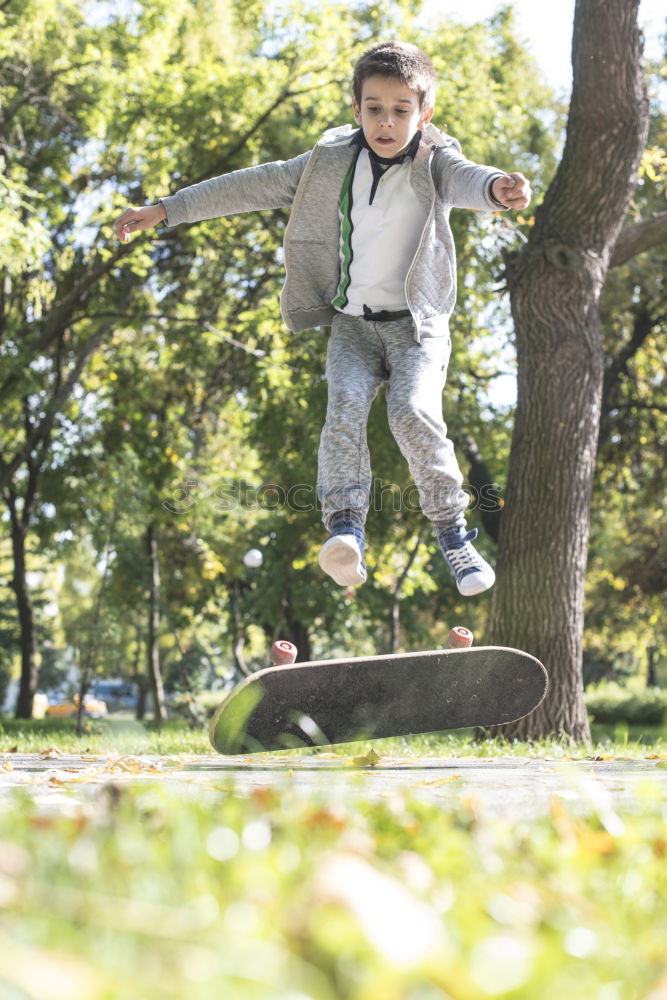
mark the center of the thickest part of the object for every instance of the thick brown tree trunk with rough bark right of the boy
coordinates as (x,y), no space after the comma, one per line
(555,283)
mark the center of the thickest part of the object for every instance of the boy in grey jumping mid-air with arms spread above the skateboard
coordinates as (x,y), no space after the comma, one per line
(369,252)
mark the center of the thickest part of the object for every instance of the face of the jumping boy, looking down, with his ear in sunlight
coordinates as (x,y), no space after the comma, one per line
(389,114)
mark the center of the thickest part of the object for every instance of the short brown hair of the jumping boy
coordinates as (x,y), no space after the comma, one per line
(401,60)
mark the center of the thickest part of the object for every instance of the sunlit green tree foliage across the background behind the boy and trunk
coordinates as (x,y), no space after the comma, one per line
(191,390)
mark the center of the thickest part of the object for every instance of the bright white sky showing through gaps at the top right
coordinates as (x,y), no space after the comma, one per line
(546,26)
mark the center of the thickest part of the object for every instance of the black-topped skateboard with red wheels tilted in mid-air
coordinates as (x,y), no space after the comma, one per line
(325,702)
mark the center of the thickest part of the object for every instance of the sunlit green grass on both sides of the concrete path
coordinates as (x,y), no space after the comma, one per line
(130,892)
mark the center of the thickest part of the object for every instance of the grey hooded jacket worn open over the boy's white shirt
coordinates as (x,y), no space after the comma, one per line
(310,183)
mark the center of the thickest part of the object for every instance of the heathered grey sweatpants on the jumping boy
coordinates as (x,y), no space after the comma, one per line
(363,354)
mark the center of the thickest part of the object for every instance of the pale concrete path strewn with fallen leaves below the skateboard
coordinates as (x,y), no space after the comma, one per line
(519,787)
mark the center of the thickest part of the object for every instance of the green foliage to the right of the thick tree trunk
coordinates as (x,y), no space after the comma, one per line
(627,578)
